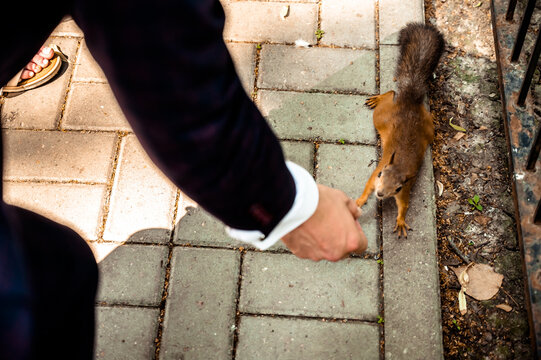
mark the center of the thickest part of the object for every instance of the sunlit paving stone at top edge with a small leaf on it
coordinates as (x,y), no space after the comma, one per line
(261,22)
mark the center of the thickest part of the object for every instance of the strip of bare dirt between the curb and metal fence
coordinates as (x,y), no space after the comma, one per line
(474,162)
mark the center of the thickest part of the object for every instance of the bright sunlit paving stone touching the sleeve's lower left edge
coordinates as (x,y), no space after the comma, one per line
(142,197)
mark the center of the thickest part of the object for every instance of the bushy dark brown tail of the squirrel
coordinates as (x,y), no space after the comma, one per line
(421,46)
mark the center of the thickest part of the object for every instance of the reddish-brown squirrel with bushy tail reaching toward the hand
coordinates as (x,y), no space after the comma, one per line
(403,123)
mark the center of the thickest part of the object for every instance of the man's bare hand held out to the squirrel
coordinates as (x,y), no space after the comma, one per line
(332,232)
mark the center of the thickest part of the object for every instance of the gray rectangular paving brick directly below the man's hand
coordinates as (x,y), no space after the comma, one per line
(283,284)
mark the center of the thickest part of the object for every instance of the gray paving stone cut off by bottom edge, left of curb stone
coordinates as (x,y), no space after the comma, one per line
(294,339)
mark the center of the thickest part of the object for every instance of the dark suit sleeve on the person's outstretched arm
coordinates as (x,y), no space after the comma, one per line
(174,78)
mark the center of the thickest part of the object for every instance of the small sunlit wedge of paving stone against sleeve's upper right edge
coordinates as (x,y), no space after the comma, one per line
(244,56)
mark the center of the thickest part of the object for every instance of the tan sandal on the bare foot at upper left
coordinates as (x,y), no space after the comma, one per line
(55,63)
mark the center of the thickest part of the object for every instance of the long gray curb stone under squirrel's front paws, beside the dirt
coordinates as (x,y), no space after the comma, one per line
(411,282)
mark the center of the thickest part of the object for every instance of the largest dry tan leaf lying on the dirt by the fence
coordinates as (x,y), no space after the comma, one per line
(479,280)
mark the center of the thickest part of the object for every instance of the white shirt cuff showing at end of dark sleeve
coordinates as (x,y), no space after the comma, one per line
(303,208)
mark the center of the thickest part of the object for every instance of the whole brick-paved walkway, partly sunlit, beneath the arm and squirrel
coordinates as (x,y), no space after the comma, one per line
(169,275)
